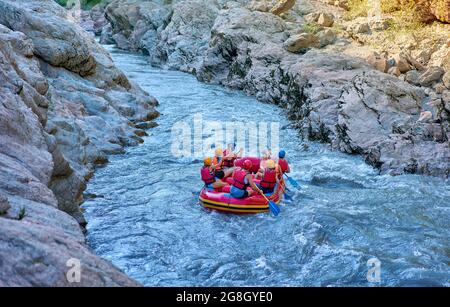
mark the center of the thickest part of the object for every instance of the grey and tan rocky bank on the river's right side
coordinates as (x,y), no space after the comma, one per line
(393,112)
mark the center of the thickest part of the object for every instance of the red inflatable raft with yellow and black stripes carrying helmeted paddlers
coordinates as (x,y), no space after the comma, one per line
(222,200)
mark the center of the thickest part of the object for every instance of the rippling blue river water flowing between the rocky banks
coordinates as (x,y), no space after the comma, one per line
(146,218)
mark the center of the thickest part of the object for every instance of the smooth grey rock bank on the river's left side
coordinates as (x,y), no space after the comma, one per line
(64,108)
